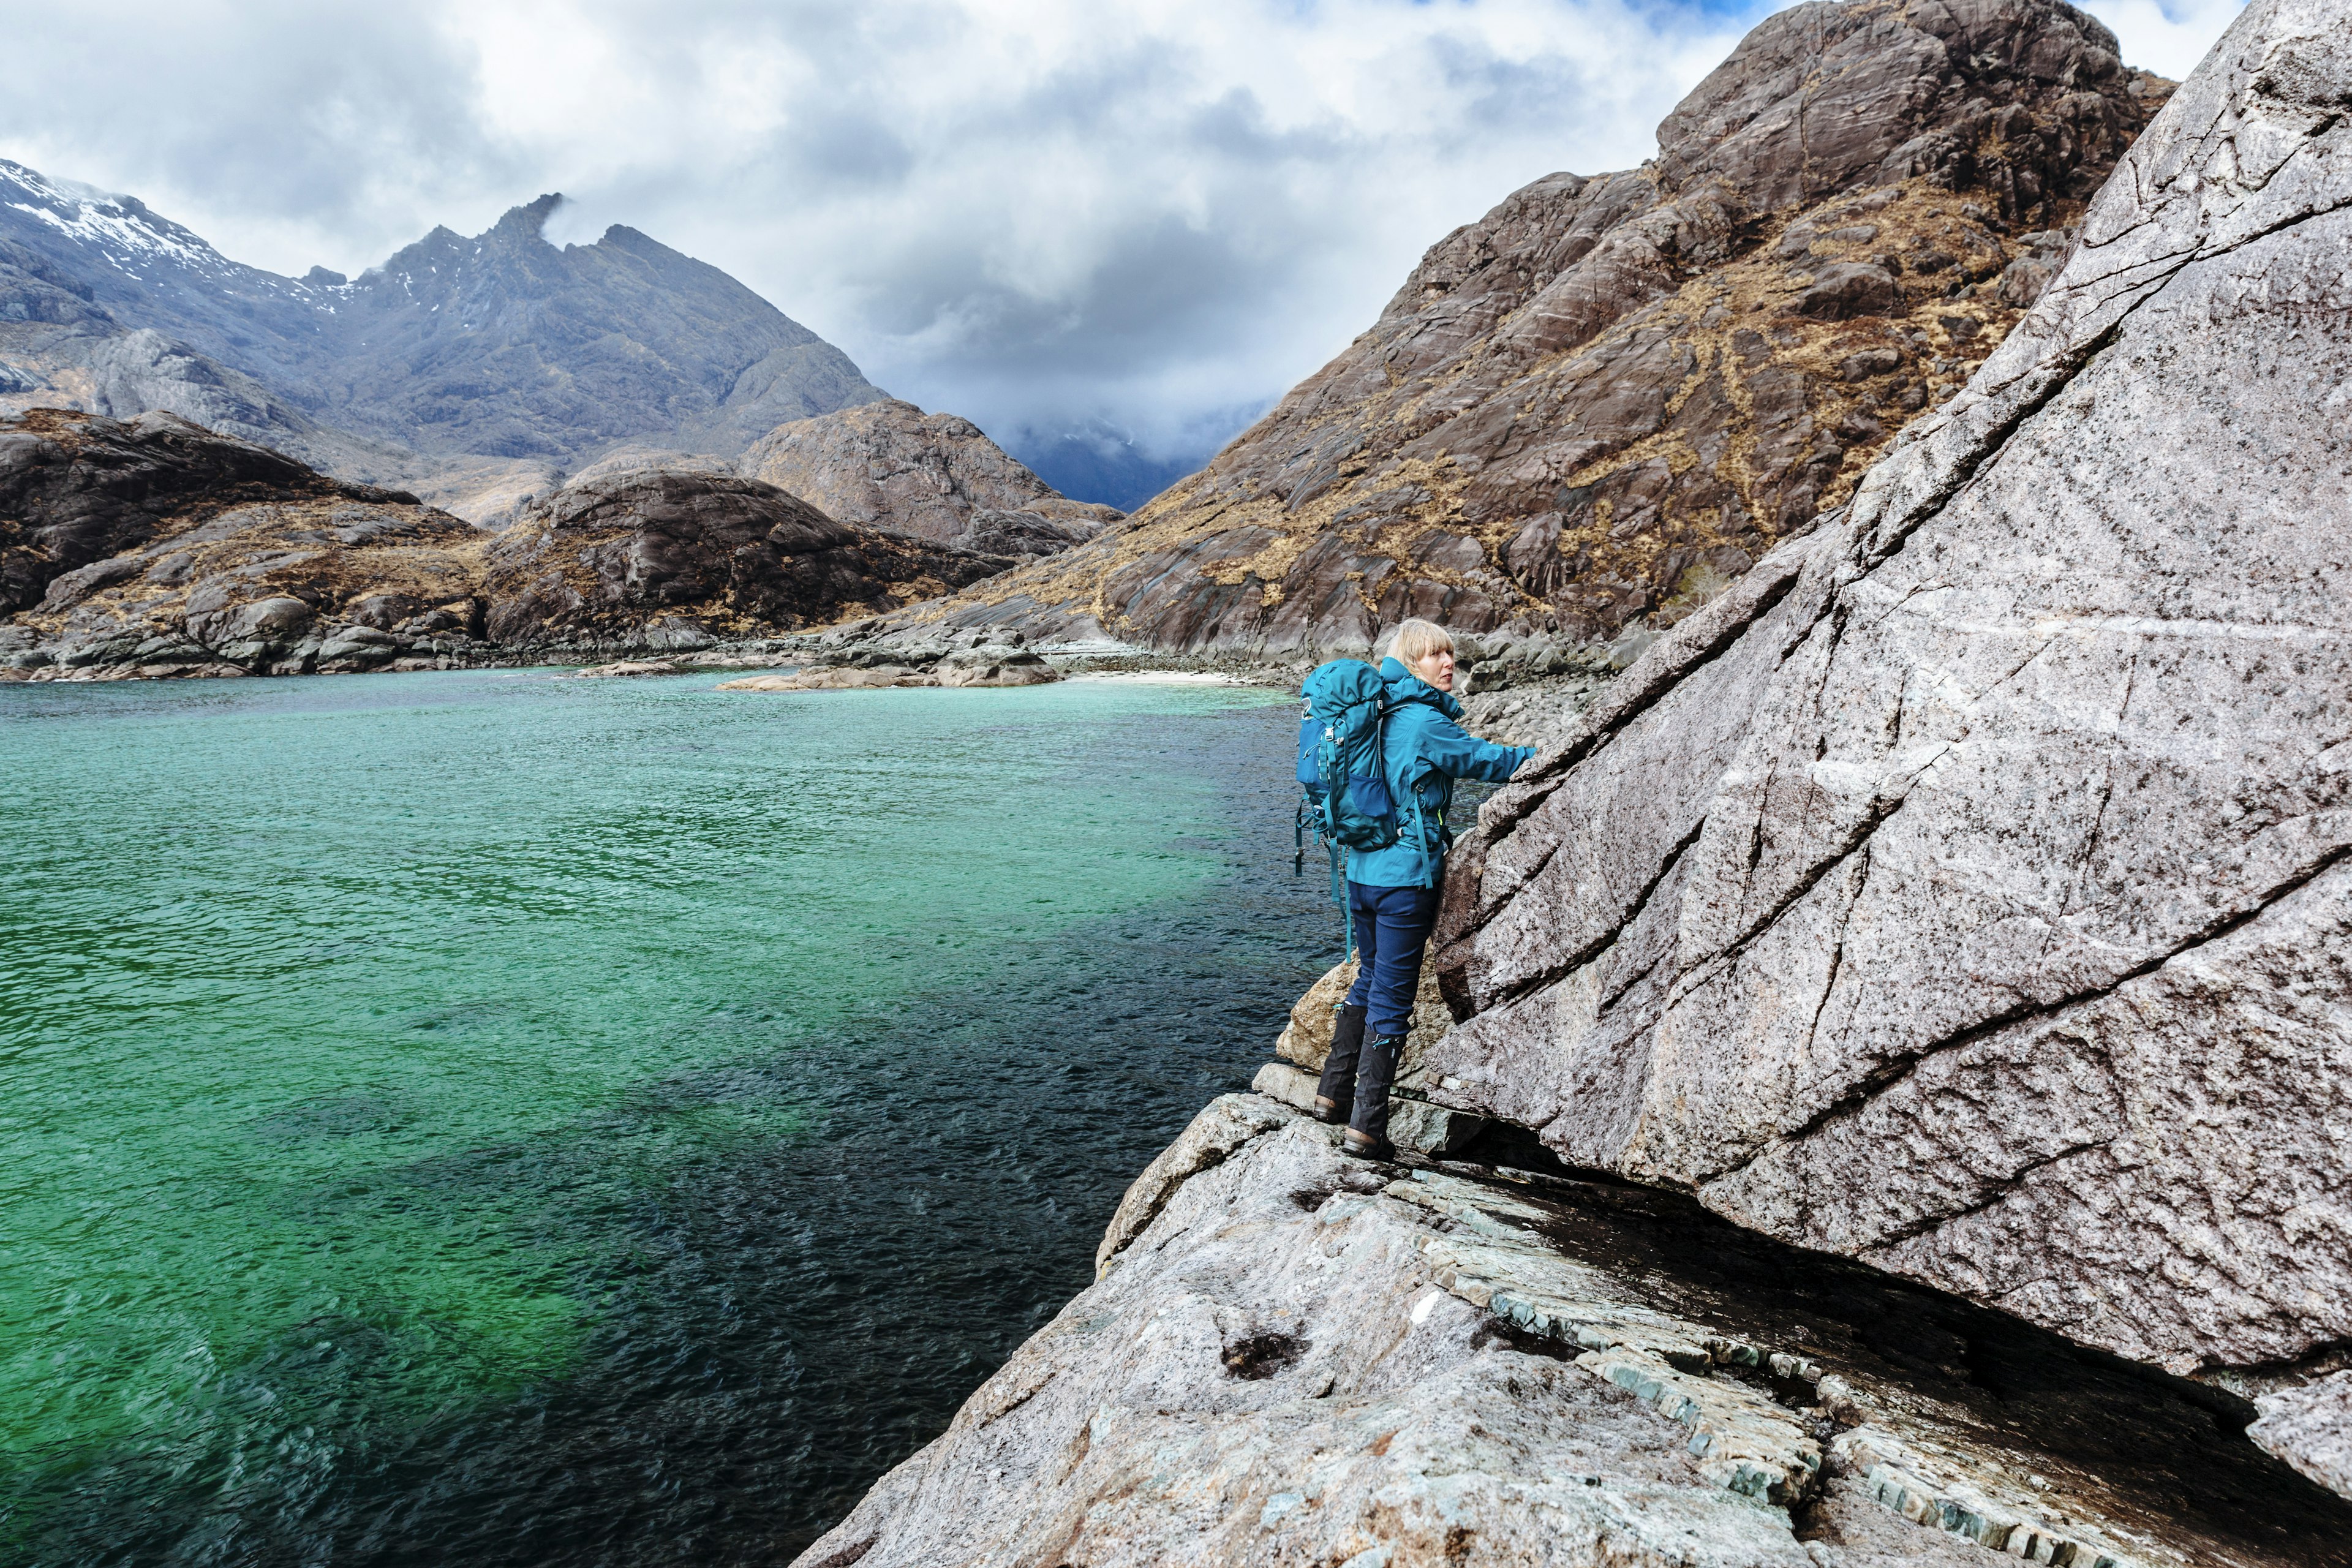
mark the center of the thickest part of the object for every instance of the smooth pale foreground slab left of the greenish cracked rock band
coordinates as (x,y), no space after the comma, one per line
(1299,1395)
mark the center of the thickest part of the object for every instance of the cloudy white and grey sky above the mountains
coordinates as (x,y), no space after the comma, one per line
(1034,213)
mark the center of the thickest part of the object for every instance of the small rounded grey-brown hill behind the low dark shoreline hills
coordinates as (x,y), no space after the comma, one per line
(933,476)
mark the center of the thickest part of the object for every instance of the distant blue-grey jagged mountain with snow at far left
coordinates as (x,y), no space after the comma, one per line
(497,347)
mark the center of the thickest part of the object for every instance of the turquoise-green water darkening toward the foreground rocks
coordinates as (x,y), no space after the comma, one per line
(554,1120)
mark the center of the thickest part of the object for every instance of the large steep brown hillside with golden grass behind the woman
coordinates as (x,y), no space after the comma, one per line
(1615,394)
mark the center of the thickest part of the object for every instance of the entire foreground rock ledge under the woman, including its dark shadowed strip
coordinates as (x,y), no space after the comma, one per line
(1297,1358)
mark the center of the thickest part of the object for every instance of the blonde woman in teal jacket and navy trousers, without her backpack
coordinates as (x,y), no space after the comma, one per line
(1394,892)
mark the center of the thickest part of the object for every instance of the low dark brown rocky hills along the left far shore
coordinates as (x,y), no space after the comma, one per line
(161,549)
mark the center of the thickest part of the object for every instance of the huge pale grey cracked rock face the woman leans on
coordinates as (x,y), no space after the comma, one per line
(1967,890)
